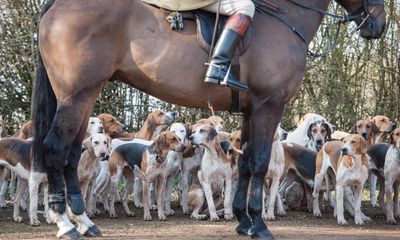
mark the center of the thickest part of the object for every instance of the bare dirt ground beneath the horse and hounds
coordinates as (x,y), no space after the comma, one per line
(297,225)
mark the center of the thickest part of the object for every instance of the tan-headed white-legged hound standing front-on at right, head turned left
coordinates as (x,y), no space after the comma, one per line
(352,170)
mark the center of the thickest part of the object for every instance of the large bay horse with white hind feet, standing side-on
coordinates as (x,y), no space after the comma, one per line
(85,43)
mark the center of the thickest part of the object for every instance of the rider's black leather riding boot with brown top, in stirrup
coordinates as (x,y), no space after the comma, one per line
(220,65)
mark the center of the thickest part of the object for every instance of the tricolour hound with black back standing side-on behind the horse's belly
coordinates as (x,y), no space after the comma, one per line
(152,161)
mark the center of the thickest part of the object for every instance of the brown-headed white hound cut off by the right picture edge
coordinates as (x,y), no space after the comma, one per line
(392,177)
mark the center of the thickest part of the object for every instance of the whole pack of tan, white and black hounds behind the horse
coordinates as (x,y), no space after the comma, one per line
(306,165)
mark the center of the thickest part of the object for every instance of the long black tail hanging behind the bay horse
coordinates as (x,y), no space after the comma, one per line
(44,103)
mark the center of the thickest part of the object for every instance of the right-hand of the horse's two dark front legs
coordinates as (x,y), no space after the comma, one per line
(264,121)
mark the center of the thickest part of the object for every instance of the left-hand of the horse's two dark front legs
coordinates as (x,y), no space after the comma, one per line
(240,200)
